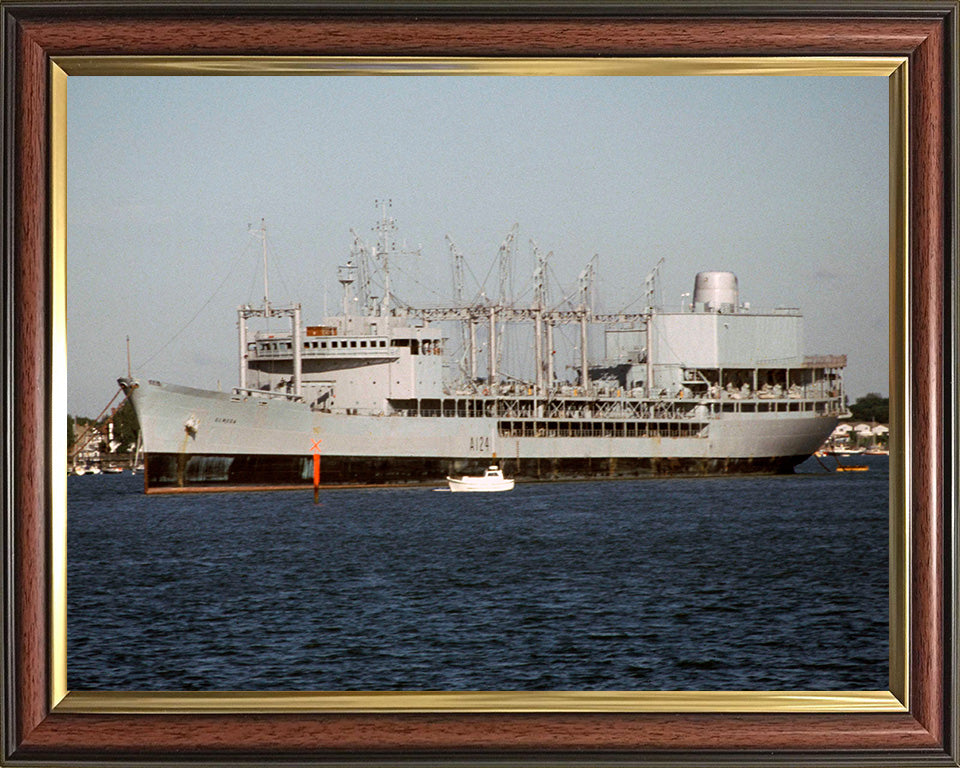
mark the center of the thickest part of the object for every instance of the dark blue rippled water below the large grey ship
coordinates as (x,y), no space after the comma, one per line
(745,583)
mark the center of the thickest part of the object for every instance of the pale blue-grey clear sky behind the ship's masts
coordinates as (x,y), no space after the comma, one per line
(782,180)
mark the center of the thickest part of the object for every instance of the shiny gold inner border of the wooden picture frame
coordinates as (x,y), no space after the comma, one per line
(376,702)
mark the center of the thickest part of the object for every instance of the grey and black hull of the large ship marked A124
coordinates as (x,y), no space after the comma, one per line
(196,439)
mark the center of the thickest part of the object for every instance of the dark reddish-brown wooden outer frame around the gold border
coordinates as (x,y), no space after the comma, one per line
(35,732)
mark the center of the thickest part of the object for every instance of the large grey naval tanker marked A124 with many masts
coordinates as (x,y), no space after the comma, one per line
(713,387)
